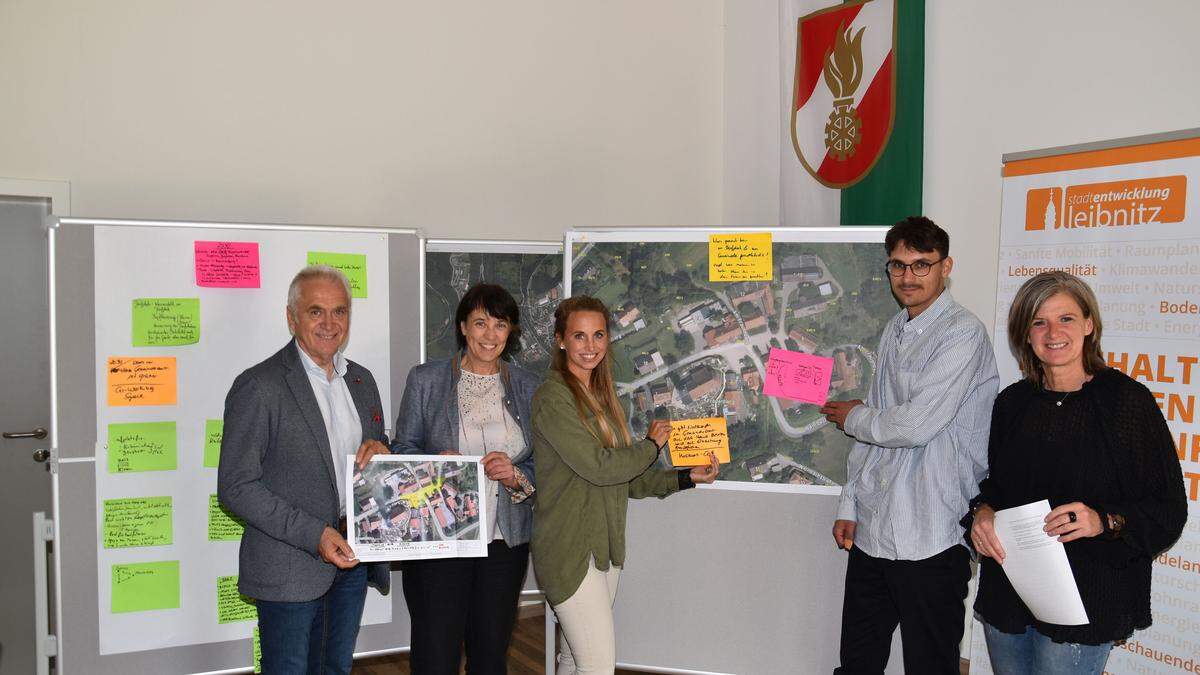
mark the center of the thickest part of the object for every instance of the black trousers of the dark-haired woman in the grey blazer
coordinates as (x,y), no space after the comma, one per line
(465,600)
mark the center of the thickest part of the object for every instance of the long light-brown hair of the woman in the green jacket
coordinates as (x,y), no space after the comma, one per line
(599,397)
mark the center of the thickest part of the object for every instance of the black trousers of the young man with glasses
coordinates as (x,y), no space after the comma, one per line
(923,596)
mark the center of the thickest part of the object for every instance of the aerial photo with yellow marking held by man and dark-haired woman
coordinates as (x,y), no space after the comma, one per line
(417,501)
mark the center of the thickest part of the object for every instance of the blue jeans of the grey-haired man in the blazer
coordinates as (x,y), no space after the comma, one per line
(315,637)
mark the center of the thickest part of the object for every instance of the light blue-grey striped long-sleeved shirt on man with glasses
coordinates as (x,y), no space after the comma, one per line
(922,437)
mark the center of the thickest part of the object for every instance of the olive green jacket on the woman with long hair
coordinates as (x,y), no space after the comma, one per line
(584,491)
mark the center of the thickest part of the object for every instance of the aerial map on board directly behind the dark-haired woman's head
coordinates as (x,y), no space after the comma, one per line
(536,282)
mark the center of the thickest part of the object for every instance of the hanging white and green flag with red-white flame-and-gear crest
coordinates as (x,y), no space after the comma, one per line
(854,118)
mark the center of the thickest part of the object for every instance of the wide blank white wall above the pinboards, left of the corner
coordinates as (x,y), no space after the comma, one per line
(509,120)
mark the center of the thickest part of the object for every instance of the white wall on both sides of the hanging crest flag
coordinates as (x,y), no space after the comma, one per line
(1000,77)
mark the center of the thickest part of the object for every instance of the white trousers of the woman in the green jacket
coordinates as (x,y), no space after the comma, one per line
(589,644)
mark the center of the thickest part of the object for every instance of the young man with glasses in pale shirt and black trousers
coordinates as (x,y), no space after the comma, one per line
(921,452)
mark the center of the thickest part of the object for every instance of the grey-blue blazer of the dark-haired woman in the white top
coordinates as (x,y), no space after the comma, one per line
(429,425)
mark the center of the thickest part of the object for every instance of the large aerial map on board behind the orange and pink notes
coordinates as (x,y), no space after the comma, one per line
(687,348)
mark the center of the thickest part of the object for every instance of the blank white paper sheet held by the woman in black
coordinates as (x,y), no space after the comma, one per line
(1037,568)
